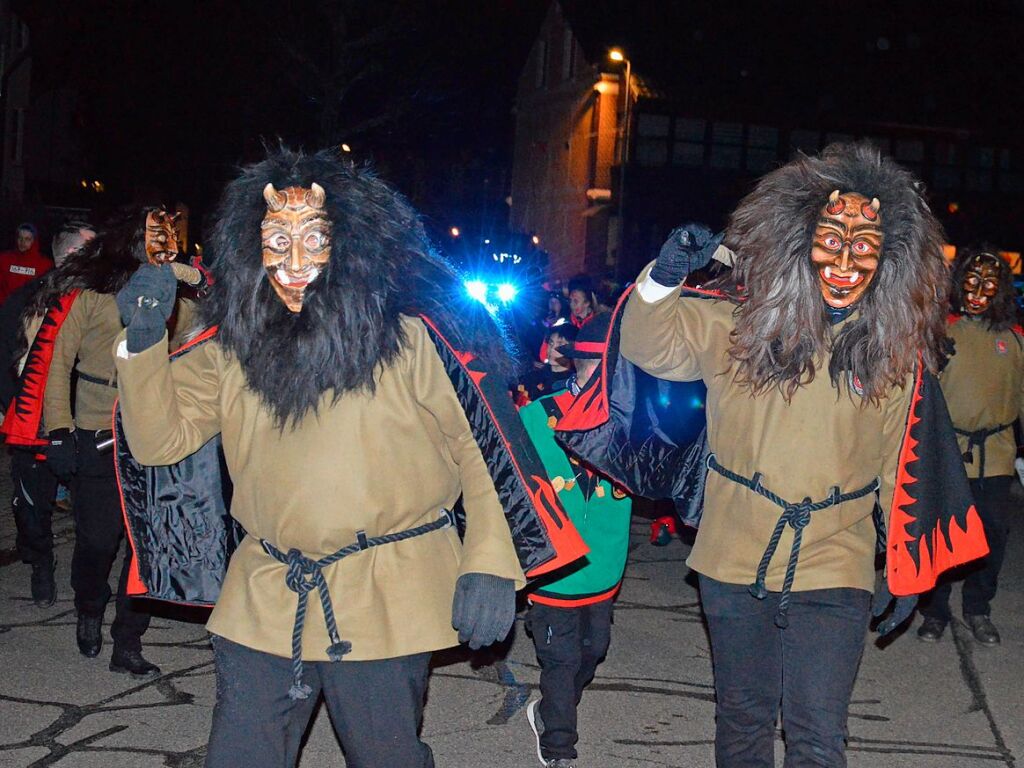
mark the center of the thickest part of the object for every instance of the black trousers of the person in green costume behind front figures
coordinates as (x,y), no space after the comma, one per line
(570,644)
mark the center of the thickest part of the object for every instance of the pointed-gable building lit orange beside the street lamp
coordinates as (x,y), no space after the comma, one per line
(567,123)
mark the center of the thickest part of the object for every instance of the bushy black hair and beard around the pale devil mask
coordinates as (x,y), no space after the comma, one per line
(350,327)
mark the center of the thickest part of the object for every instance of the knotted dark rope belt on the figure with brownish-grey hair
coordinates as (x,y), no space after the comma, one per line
(795,516)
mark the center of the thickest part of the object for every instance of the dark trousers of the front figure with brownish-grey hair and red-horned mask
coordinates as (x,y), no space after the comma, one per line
(810,667)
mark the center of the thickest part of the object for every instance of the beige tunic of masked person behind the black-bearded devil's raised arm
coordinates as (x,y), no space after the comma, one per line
(88,333)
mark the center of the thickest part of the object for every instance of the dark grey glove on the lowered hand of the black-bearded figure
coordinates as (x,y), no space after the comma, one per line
(484,609)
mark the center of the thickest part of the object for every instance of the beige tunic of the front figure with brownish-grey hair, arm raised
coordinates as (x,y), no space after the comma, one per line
(823,438)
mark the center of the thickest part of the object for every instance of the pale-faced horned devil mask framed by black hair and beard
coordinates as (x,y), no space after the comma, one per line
(296,238)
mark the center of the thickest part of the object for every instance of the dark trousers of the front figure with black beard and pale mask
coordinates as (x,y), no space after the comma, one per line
(376,709)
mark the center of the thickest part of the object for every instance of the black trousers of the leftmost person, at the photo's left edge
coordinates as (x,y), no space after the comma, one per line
(34,491)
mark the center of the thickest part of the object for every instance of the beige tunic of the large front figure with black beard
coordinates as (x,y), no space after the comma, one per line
(379,463)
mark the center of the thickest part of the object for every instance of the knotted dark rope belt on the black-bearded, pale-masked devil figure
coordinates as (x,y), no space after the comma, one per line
(306,575)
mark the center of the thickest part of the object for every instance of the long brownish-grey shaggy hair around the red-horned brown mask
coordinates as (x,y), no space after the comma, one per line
(783,331)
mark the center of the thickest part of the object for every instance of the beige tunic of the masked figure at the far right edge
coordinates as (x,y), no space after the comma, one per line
(985,388)
